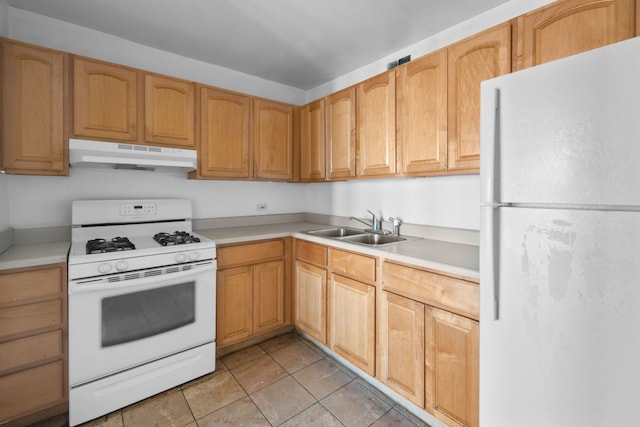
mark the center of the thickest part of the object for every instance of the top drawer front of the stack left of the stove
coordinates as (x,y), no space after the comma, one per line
(16,287)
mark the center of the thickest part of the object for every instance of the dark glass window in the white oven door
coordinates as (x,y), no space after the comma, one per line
(138,315)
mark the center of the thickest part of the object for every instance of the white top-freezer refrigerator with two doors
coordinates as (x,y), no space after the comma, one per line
(560,243)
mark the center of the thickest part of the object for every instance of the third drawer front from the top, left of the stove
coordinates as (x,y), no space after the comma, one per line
(26,351)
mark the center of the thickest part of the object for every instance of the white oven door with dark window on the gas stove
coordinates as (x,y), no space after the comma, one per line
(121,325)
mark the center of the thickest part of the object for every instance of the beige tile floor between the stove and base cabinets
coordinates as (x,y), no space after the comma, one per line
(286,381)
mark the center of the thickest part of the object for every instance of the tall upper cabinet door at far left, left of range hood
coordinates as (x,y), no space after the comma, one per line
(32,111)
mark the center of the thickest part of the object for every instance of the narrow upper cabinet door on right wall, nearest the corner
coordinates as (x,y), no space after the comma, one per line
(312,156)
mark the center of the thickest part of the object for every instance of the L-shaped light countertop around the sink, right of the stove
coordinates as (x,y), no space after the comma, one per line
(453,258)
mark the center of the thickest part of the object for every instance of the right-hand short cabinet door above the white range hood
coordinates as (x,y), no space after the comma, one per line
(169,117)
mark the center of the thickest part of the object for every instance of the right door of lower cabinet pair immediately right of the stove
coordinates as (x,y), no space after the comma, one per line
(268,296)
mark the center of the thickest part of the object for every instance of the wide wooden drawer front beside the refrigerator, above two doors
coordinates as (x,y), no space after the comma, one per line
(456,295)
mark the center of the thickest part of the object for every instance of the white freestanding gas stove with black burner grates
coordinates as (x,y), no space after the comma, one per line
(142,301)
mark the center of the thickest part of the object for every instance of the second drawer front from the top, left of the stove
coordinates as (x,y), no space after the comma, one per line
(30,317)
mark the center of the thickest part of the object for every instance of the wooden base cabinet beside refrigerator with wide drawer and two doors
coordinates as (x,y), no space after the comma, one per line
(431,320)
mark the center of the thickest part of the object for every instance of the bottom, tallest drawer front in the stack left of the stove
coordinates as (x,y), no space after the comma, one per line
(31,390)
